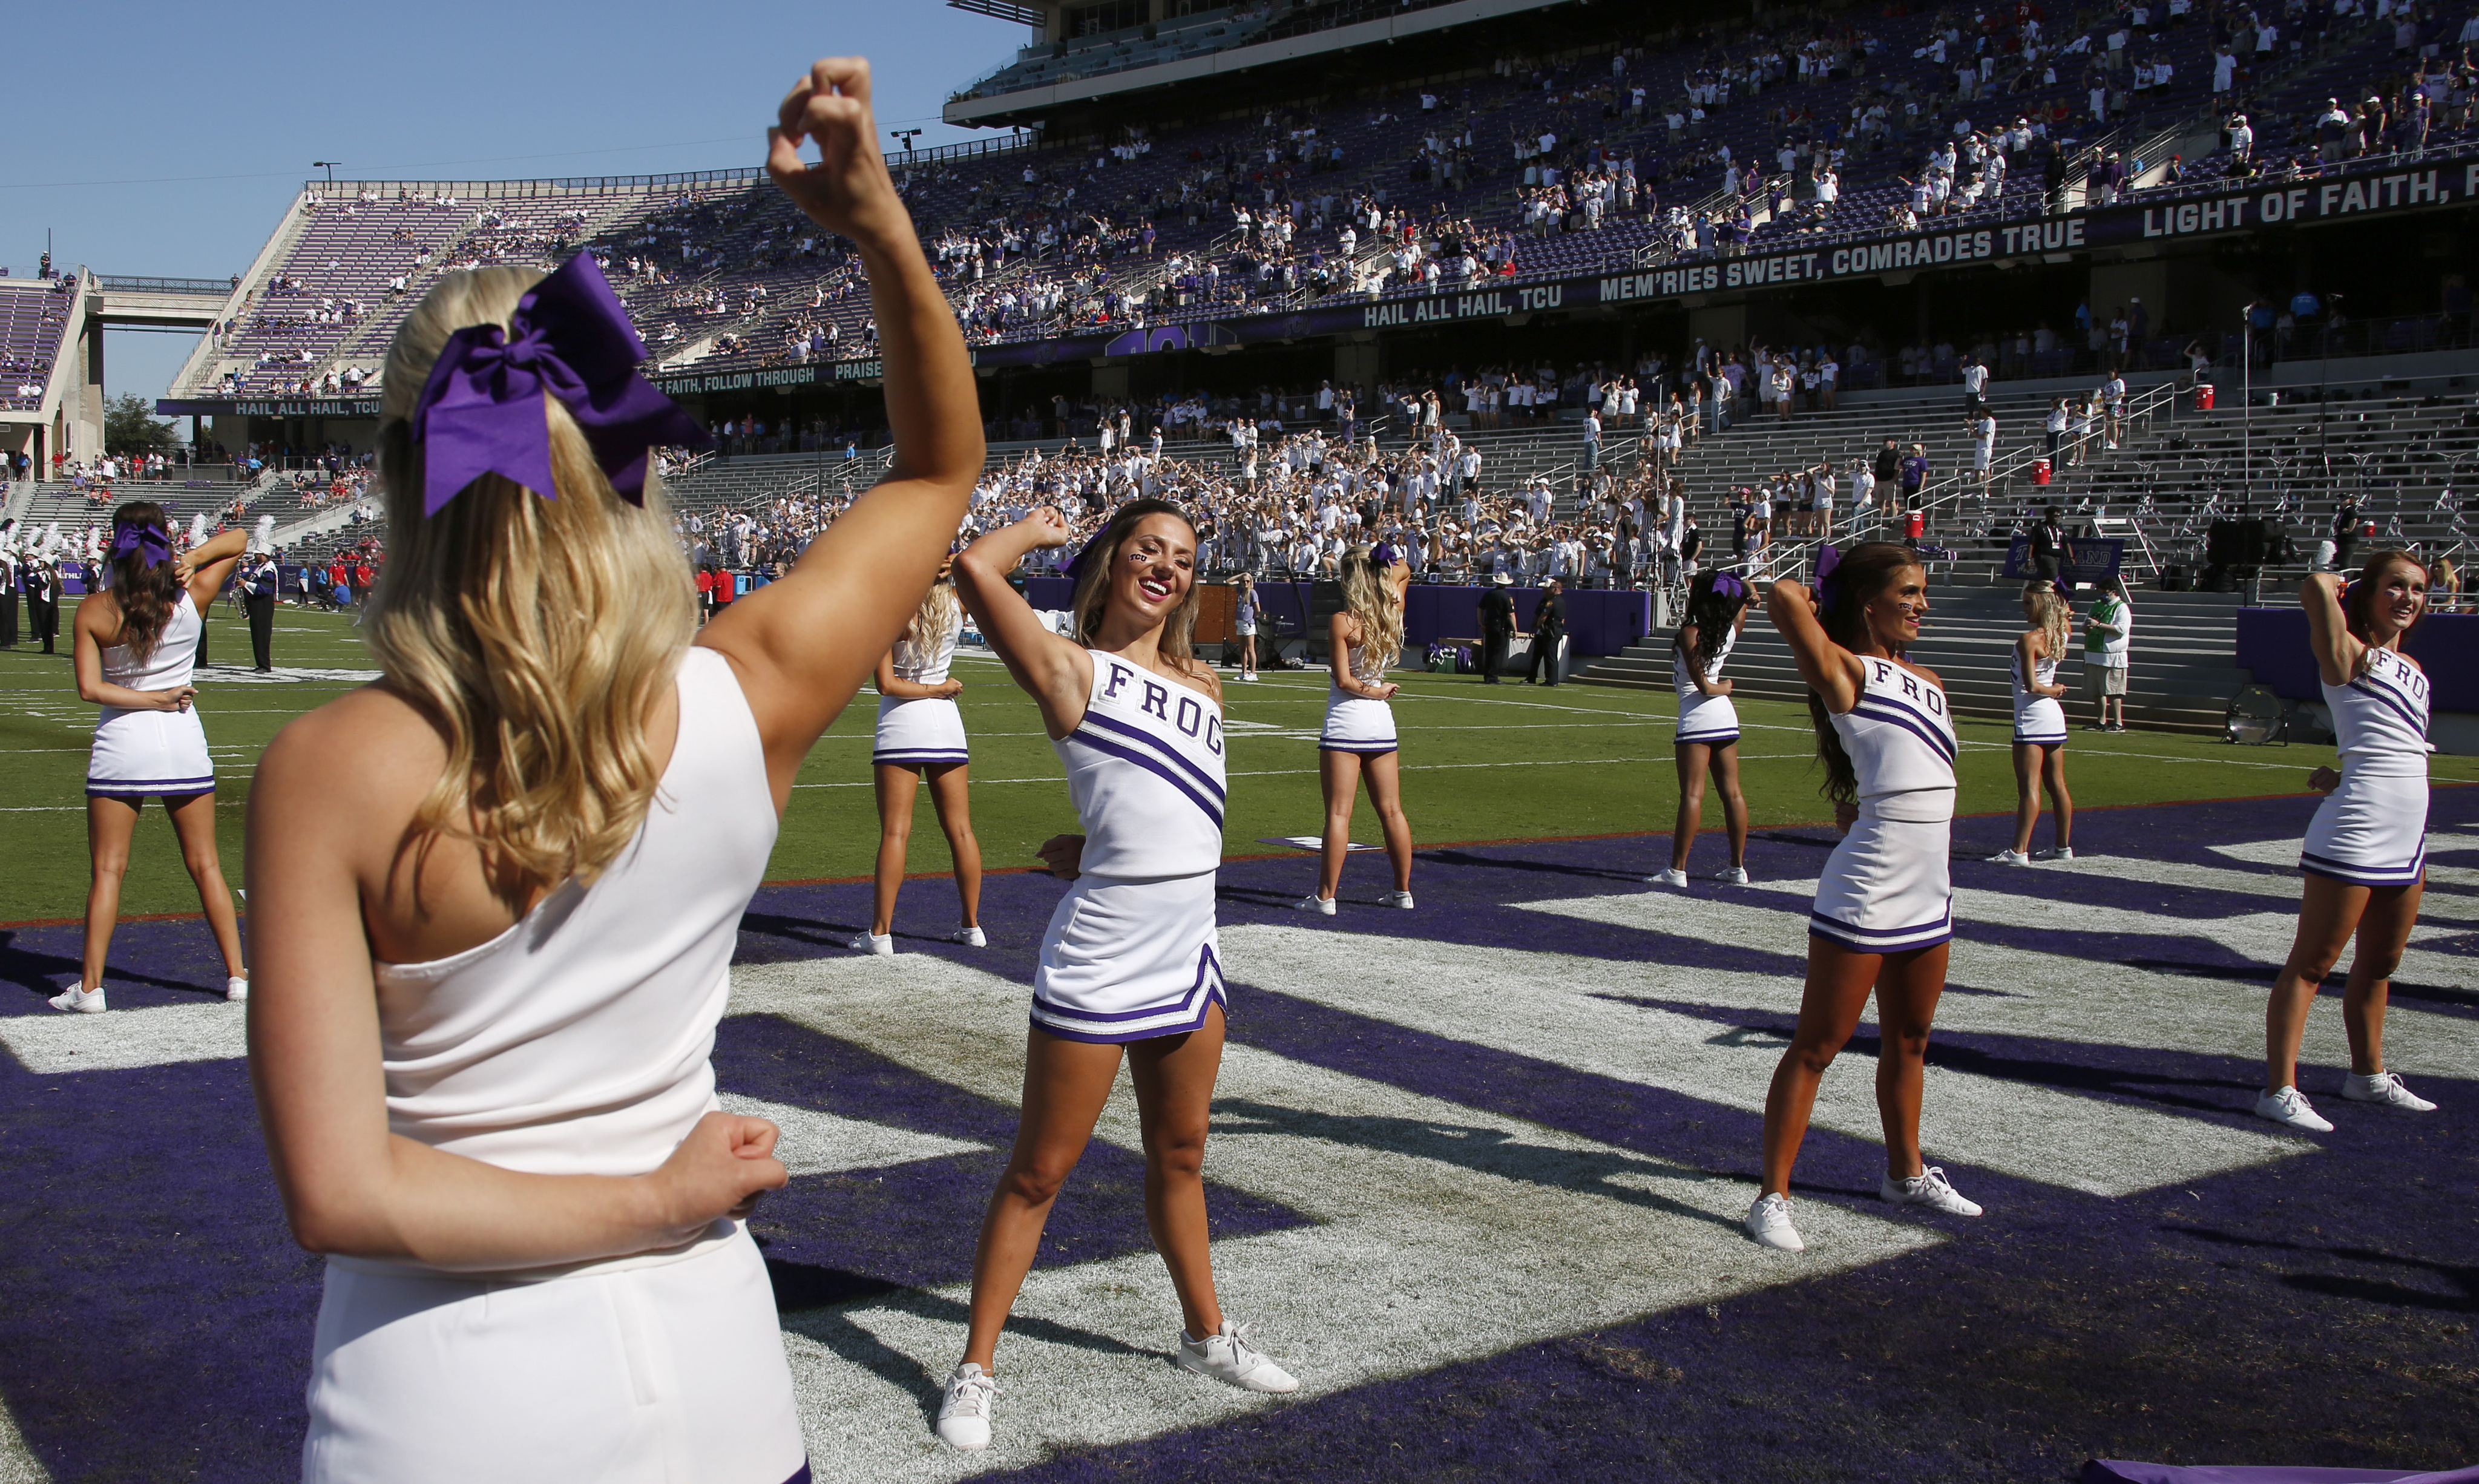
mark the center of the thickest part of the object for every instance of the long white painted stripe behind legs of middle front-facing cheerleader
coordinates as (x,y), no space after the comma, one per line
(1573,1012)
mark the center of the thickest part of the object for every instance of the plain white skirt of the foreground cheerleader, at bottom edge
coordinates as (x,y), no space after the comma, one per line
(614,1376)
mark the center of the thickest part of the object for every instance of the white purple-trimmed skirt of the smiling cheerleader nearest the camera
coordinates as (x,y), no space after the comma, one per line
(1129,960)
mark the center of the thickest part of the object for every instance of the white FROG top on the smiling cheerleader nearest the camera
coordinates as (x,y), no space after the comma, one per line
(1147,774)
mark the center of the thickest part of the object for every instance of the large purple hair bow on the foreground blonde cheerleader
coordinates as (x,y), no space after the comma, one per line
(482,408)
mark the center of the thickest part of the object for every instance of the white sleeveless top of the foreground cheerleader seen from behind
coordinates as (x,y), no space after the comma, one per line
(576,1042)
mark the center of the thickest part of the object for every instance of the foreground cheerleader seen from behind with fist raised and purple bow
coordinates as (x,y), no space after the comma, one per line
(495,898)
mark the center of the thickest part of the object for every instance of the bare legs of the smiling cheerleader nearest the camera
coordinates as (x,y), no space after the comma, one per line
(1065,1091)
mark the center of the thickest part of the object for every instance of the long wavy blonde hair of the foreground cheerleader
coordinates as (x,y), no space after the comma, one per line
(534,633)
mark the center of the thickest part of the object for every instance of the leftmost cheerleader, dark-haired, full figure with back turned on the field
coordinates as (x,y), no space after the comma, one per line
(135,648)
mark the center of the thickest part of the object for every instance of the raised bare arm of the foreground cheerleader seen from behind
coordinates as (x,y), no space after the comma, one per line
(807,643)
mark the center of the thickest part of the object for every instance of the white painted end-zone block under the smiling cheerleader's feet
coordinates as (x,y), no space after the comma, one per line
(1439,1235)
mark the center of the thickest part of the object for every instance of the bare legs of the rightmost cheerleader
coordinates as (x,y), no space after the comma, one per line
(2329,918)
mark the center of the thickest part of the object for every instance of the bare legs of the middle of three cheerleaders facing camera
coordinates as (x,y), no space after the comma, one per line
(1838,987)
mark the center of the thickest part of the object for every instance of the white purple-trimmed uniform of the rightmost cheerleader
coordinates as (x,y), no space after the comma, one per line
(2374,829)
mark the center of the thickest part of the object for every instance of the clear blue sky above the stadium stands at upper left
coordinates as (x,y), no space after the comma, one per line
(167,140)
